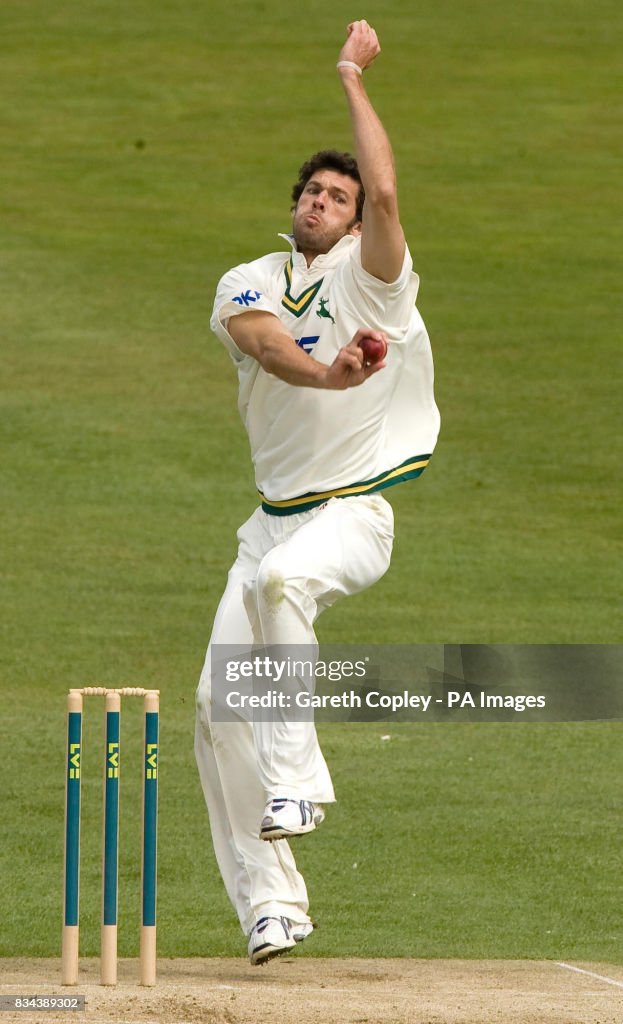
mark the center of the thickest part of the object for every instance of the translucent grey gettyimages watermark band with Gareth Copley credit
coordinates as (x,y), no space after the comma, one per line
(419,682)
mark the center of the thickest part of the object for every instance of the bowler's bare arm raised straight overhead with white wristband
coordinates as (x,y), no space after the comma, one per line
(383,236)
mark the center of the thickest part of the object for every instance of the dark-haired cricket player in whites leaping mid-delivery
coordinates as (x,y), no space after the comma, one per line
(330,432)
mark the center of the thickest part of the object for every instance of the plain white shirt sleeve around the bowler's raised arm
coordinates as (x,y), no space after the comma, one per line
(381,306)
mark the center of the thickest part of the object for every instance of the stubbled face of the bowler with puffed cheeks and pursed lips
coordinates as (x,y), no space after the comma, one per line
(325,212)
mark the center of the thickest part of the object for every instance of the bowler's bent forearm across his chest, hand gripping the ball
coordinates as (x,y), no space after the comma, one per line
(263,336)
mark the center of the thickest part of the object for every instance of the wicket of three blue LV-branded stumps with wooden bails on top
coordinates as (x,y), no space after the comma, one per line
(70,954)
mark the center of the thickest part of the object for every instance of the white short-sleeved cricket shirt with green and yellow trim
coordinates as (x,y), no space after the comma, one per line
(308,444)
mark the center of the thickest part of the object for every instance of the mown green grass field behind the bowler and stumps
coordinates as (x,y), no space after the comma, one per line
(148,149)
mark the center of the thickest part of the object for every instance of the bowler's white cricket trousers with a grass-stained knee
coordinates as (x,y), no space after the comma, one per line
(288,570)
